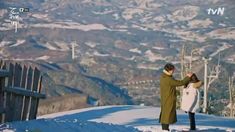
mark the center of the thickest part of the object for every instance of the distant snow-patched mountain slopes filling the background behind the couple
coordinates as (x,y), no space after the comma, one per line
(117,41)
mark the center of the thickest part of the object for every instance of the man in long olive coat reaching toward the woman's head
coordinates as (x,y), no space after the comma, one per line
(168,95)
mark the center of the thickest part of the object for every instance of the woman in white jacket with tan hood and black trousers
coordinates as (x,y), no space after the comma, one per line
(190,99)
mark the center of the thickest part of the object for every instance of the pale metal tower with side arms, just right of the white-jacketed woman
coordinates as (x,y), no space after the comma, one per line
(208,79)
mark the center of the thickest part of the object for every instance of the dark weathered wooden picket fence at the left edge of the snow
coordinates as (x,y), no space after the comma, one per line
(20,88)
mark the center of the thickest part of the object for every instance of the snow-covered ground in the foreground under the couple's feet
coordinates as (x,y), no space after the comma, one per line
(116,119)
